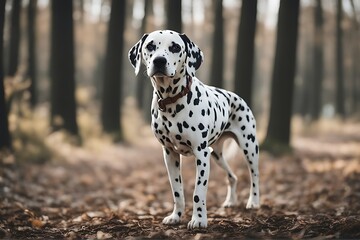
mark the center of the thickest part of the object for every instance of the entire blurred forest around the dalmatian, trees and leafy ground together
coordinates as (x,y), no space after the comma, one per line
(69,100)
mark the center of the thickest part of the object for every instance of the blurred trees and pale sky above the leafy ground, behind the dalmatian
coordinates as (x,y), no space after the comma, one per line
(65,67)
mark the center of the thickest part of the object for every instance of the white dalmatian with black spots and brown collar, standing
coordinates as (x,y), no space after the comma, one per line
(191,118)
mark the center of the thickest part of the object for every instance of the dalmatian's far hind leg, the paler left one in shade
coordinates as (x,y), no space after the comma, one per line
(231,196)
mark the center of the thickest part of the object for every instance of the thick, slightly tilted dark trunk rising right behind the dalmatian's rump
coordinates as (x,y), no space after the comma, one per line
(245,50)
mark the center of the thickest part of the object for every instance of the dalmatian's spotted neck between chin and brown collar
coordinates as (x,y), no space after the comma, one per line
(167,87)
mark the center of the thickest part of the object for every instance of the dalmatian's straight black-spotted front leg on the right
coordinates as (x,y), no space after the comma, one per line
(199,216)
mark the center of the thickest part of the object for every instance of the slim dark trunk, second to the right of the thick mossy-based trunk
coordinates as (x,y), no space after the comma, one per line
(339,101)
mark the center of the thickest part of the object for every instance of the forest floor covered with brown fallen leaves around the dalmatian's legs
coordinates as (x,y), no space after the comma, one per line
(122,191)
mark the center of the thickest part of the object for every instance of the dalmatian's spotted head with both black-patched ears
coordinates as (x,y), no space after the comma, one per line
(167,54)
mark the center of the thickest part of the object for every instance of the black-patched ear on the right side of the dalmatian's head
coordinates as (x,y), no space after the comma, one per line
(194,55)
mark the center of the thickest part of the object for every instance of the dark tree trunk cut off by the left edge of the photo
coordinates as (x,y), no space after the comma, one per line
(5,139)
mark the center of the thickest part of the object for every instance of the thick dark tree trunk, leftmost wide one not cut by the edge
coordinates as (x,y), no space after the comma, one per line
(62,69)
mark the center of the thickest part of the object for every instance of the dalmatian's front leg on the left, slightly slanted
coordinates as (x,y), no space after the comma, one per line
(173,166)
